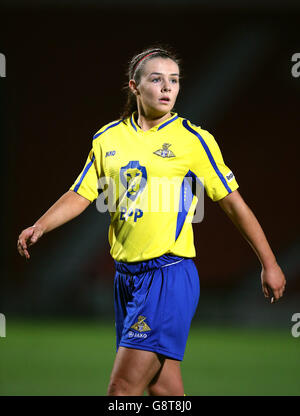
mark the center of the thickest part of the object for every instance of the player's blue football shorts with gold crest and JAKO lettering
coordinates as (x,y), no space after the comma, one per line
(155,301)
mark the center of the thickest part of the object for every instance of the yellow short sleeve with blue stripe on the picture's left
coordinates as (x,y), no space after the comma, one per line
(86,183)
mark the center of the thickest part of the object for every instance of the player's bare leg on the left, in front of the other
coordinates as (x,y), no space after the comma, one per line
(133,370)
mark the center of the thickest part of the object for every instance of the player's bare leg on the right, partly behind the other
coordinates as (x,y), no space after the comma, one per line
(168,380)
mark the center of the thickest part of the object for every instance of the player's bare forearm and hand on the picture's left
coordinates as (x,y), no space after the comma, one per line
(67,207)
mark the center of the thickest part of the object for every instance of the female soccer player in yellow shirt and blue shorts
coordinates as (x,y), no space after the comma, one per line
(156,285)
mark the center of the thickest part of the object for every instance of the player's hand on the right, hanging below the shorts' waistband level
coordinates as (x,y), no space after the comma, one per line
(273,282)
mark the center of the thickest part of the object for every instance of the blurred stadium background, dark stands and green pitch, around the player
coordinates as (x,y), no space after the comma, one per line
(65,69)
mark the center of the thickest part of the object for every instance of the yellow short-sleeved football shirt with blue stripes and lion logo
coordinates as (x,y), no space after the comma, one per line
(142,176)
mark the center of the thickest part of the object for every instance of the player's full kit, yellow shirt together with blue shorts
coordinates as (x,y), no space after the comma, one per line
(151,237)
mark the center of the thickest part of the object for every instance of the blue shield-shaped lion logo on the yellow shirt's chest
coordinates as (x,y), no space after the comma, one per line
(134,178)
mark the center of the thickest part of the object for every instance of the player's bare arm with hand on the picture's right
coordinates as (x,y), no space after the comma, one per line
(272,277)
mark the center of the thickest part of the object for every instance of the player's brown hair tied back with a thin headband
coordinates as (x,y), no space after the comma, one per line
(134,71)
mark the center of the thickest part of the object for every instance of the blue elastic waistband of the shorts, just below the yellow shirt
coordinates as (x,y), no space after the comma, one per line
(145,266)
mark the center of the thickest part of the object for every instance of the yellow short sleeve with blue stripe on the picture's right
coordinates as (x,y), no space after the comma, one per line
(219,180)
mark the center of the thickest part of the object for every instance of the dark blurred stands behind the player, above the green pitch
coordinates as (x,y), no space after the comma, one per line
(65,70)
